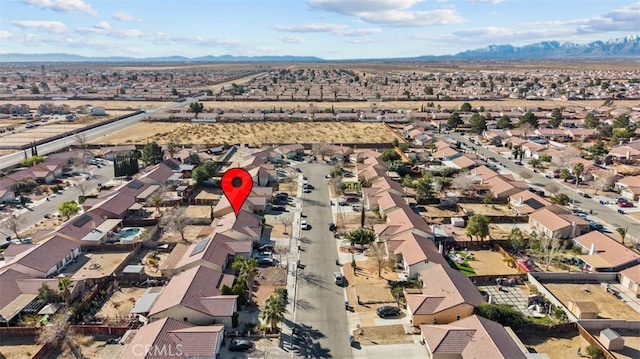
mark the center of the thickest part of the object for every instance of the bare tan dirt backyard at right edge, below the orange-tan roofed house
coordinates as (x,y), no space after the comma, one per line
(610,306)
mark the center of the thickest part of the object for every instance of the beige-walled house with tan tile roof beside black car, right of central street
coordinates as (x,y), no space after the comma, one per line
(446,296)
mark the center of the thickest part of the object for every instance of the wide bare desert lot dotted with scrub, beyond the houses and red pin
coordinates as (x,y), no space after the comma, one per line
(256,133)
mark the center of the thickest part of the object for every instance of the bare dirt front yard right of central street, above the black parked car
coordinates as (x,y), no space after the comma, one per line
(368,286)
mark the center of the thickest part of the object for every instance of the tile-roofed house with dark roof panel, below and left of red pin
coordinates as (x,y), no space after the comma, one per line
(215,251)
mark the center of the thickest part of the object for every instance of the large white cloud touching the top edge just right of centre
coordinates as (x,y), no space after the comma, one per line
(395,13)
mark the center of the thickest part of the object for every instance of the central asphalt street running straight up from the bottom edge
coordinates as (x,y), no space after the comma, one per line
(320,318)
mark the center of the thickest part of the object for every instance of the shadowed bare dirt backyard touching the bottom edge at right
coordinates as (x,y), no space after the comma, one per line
(559,346)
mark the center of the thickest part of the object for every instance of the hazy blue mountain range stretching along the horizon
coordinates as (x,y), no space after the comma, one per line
(622,48)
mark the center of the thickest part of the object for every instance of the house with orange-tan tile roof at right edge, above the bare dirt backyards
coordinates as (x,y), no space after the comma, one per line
(601,253)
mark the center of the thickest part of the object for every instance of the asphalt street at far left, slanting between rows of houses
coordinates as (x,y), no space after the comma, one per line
(37,210)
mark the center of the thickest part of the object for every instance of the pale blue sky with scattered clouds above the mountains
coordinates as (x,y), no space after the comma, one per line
(329,29)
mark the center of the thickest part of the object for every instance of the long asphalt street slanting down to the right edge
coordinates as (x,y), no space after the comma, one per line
(601,213)
